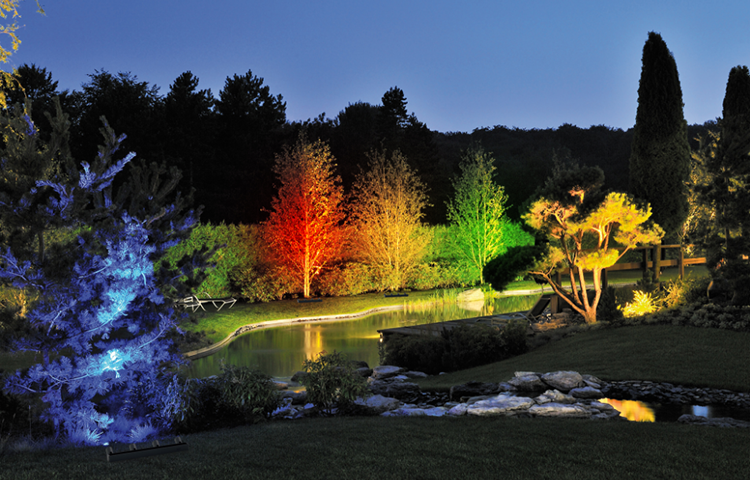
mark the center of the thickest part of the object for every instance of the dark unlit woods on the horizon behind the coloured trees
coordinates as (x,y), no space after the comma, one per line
(225,145)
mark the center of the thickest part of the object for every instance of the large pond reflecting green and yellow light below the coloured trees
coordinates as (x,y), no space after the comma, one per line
(280,351)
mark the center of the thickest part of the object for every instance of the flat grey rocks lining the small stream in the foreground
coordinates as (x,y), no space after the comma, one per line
(531,394)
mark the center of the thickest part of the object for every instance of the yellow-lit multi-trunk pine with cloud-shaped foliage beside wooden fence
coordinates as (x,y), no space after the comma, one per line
(587,233)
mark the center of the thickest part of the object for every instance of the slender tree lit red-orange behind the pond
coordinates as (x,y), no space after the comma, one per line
(305,227)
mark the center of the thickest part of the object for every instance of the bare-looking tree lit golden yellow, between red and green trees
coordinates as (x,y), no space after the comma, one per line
(387,207)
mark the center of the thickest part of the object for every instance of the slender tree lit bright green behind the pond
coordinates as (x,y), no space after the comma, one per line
(477,211)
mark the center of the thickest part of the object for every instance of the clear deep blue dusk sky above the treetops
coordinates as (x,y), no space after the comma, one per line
(462,65)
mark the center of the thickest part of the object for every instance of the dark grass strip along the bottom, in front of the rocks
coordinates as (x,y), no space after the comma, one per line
(420,448)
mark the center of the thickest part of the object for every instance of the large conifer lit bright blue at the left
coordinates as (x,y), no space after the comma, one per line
(101,318)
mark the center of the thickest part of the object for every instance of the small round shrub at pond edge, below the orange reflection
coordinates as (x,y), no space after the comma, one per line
(331,380)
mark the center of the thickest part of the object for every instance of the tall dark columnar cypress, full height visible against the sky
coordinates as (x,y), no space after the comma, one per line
(660,153)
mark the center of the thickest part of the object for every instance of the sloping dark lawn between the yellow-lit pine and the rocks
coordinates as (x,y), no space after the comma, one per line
(688,356)
